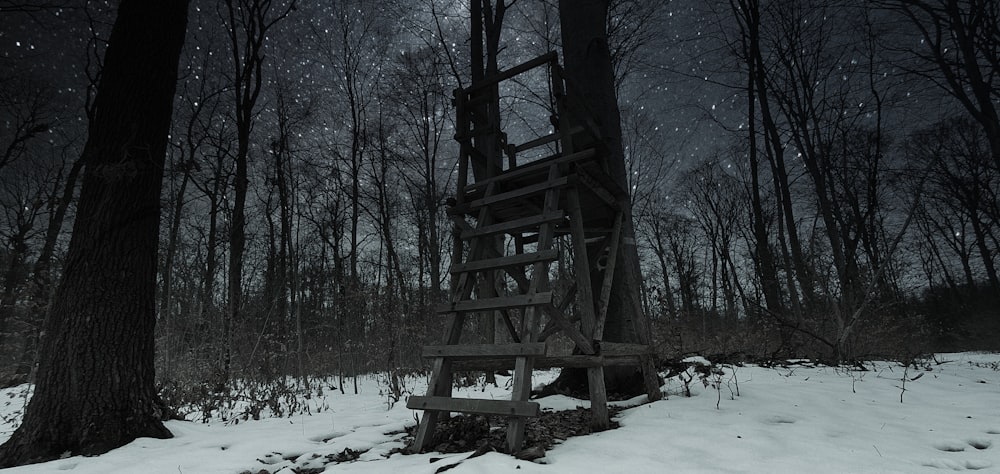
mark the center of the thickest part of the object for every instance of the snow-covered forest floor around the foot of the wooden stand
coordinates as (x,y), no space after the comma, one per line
(792,419)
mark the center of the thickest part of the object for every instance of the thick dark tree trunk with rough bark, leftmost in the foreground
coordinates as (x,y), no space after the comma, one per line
(95,388)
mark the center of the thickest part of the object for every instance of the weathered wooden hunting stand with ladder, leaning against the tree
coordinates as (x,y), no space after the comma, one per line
(507,223)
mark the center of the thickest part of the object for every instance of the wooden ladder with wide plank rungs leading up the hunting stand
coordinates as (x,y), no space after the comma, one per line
(533,295)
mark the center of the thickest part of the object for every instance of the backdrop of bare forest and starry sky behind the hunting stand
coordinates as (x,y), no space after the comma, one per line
(813,179)
